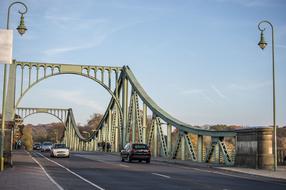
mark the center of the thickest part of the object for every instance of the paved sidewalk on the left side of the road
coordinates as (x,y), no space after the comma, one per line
(25,174)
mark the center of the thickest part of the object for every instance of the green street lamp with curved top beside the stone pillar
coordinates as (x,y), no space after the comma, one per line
(262,44)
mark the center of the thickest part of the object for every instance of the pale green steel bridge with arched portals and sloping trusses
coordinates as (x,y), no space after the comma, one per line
(125,119)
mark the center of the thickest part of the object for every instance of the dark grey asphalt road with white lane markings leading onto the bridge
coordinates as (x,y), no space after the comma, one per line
(105,171)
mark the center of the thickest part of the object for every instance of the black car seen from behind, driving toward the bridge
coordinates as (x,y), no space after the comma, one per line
(136,151)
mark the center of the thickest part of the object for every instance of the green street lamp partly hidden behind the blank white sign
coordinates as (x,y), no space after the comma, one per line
(21,29)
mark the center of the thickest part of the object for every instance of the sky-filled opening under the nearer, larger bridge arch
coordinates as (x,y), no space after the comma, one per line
(81,93)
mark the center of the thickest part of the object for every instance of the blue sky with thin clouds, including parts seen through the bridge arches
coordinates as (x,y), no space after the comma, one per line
(198,60)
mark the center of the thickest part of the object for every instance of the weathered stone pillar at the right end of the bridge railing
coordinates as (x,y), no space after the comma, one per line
(254,148)
